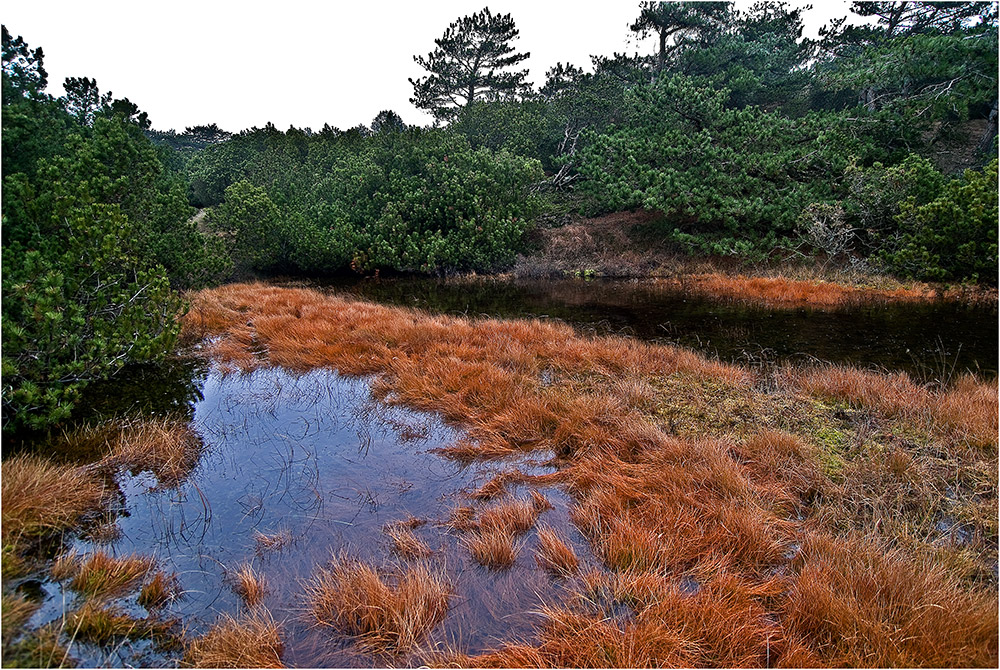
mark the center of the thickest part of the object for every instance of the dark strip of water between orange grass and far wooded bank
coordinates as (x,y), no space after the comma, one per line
(931,341)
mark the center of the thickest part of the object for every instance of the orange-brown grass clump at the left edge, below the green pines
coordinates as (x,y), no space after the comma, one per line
(41,498)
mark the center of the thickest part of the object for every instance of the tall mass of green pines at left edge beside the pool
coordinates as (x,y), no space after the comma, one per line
(93,222)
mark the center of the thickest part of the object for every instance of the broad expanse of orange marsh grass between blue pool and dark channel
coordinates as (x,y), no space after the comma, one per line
(726,502)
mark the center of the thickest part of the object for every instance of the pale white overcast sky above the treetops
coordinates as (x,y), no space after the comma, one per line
(242,64)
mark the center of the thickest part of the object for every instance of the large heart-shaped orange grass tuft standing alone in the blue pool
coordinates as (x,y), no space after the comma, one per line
(383,615)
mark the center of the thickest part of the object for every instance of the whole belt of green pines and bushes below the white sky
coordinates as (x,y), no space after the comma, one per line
(749,140)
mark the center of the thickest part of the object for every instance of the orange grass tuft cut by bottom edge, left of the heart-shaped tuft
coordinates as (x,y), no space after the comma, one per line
(250,641)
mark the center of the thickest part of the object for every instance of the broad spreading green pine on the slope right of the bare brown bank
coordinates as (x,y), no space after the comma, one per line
(732,181)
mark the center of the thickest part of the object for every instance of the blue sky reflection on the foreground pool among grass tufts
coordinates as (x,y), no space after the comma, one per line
(313,455)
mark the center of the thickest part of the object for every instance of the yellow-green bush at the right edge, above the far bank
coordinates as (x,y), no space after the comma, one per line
(954,236)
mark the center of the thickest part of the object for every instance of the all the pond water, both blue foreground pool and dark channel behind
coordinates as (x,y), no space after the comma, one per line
(314,459)
